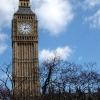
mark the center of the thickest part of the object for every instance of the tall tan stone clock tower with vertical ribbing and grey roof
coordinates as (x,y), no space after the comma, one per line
(25,66)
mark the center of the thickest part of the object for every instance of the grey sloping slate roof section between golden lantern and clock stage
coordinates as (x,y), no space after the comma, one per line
(24,10)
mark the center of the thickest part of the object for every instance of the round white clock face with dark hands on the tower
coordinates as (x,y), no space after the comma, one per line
(24,28)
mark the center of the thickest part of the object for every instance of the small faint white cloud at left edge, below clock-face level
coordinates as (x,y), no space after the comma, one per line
(3,46)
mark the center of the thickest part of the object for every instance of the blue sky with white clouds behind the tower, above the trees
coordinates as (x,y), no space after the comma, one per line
(69,28)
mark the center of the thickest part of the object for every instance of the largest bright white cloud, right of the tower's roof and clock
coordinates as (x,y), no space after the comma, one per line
(54,15)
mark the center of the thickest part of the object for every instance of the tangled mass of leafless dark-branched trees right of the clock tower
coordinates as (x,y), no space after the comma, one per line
(70,80)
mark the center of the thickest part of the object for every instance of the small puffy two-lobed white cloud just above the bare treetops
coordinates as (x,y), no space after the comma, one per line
(63,52)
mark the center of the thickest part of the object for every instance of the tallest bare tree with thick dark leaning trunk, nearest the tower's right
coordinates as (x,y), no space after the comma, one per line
(47,72)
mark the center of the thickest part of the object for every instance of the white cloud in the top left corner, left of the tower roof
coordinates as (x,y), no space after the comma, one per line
(6,12)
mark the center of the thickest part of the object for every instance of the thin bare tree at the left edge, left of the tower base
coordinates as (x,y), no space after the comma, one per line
(5,80)
